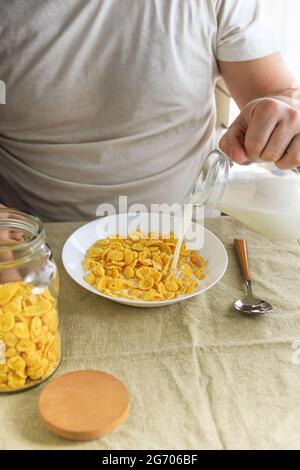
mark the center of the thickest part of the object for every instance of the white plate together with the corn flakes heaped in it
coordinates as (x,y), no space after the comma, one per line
(127,258)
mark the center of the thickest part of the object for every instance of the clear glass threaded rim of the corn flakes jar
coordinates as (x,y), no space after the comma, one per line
(27,222)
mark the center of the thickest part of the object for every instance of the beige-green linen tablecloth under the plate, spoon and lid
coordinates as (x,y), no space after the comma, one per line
(200,375)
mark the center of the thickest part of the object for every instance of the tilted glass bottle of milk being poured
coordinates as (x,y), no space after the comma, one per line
(258,194)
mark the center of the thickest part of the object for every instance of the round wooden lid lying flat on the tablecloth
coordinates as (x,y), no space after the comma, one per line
(84,405)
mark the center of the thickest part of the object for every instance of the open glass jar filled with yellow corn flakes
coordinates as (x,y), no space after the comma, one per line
(30,345)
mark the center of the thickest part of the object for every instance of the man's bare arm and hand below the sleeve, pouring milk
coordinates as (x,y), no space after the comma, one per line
(269,124)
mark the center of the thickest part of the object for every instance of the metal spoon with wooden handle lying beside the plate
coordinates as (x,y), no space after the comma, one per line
(250,305)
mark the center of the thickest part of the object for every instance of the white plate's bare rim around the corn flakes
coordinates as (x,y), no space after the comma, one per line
(75,248)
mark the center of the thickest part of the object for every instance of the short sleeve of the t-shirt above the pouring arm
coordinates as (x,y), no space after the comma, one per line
(241,35)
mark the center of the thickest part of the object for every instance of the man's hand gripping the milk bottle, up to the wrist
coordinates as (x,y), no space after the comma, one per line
(268,129)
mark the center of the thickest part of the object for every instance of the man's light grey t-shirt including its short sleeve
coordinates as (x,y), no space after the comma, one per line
(112,97)
